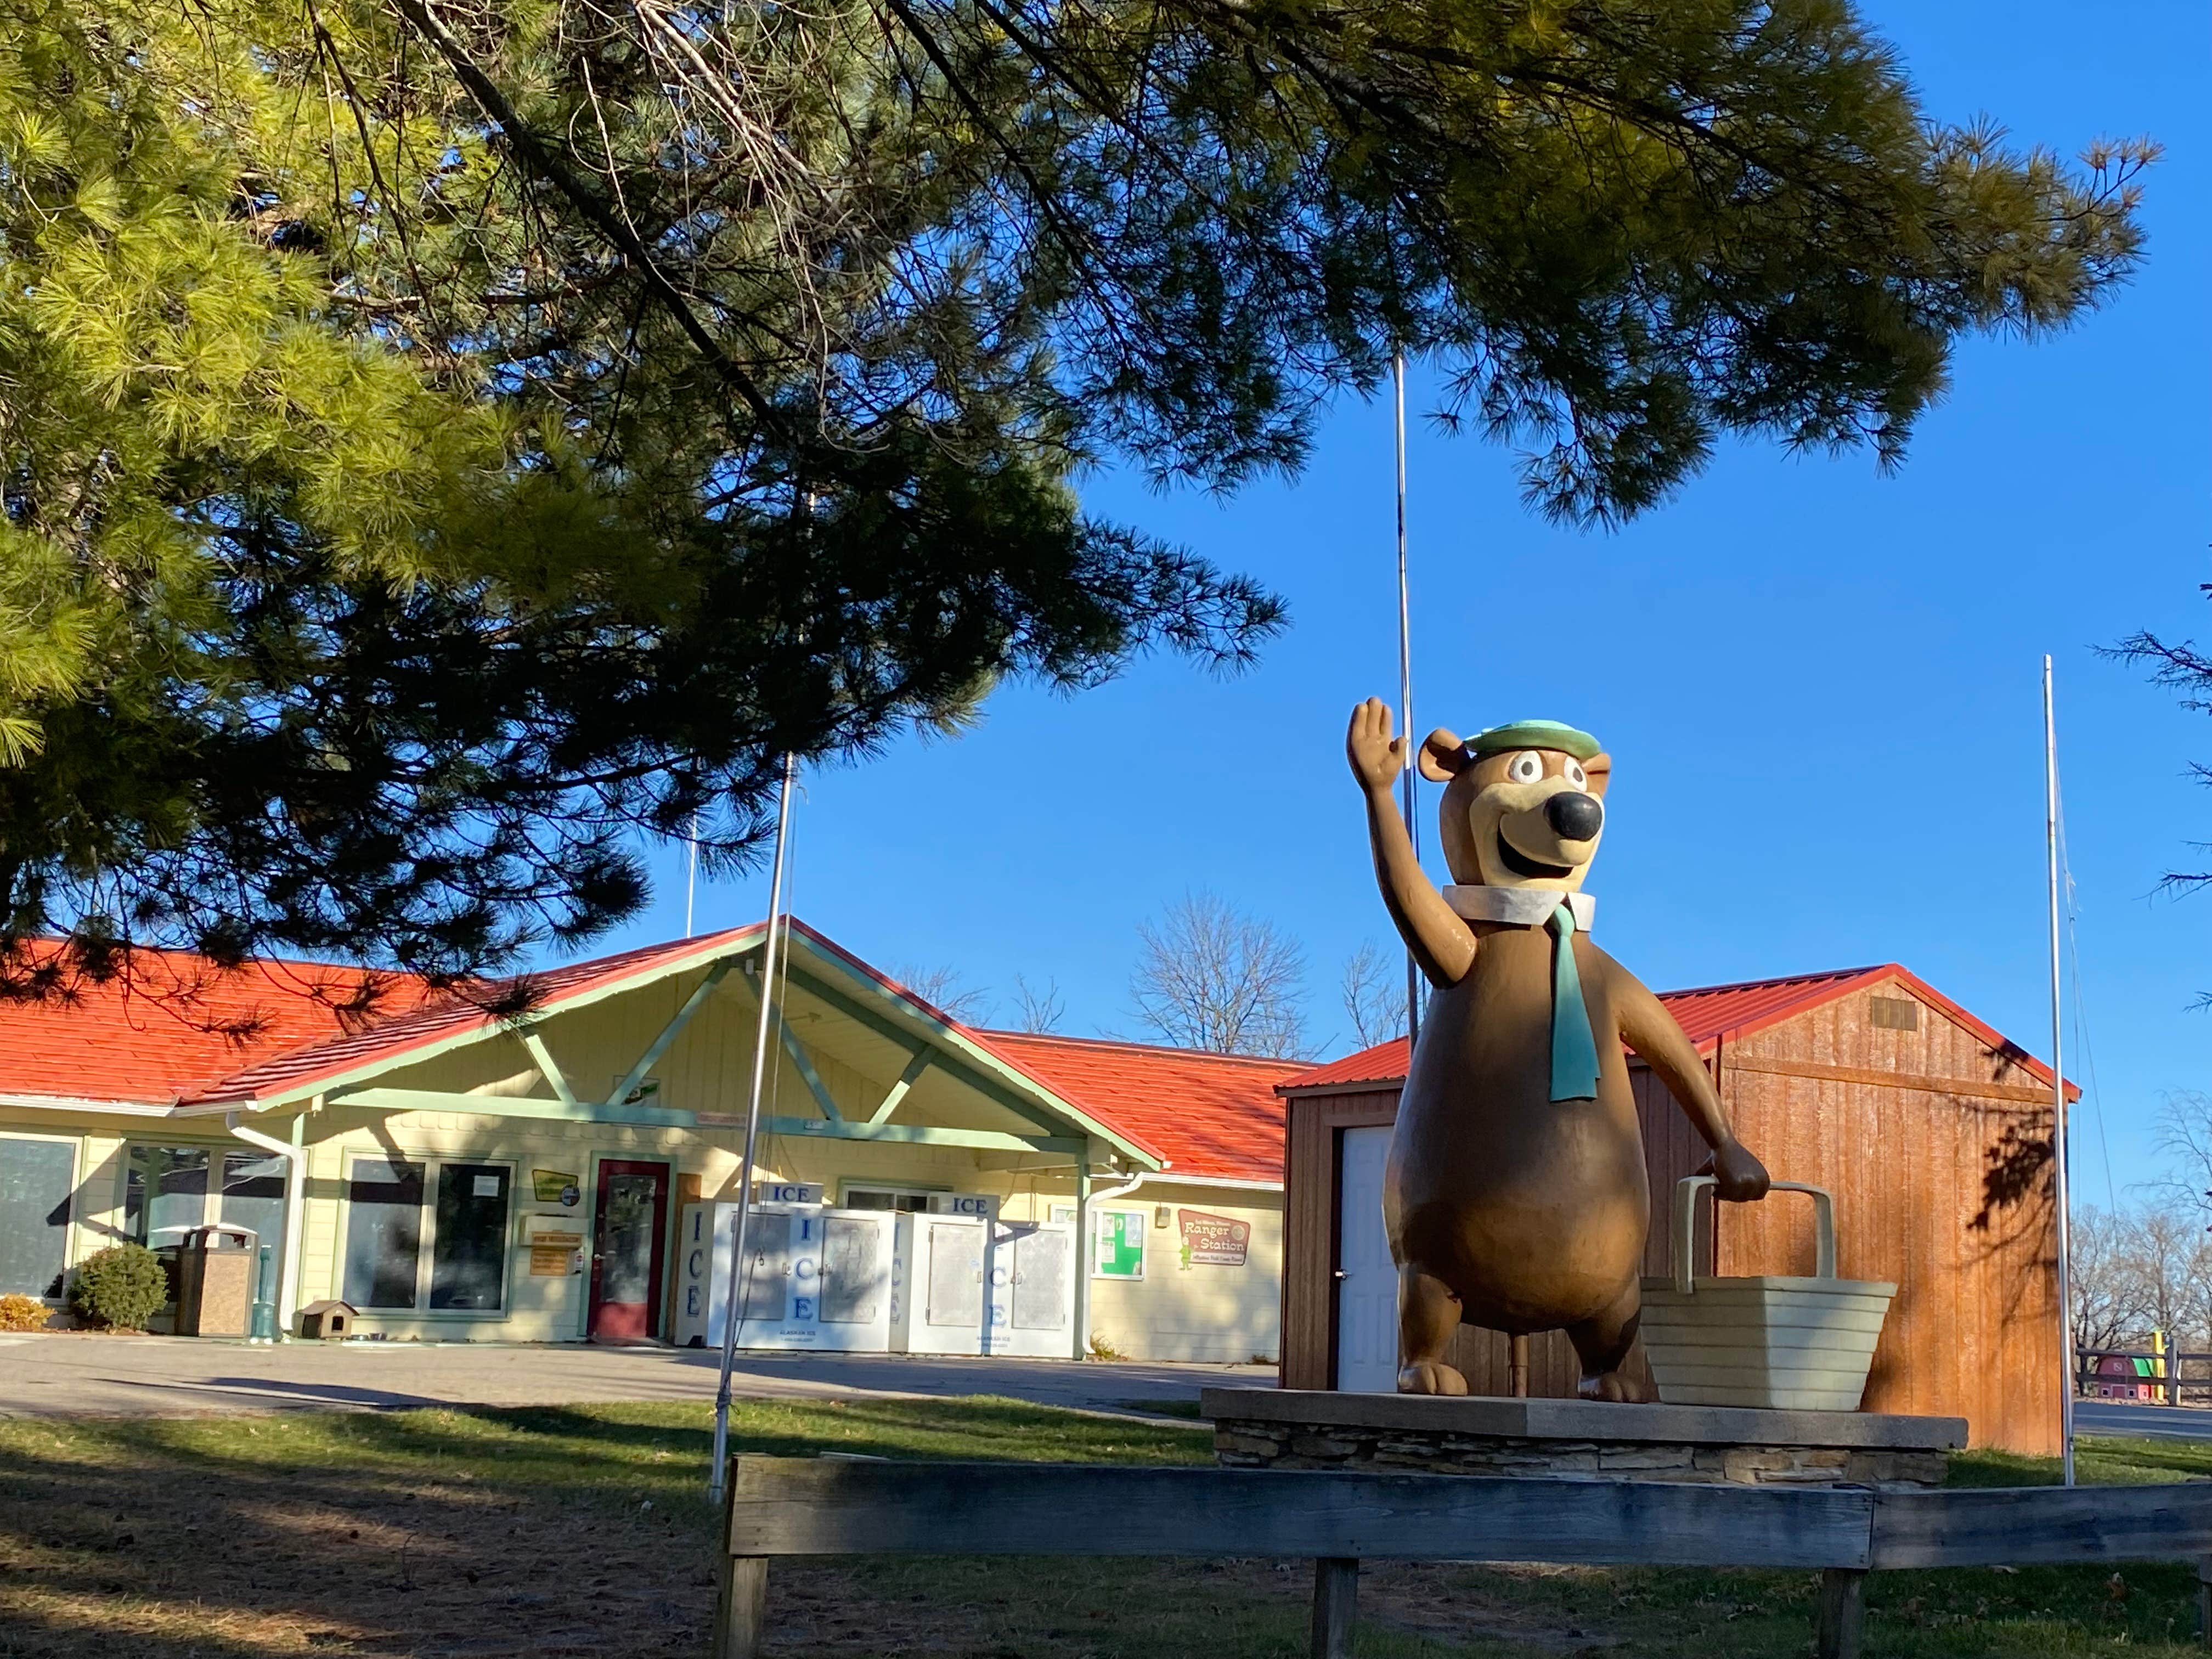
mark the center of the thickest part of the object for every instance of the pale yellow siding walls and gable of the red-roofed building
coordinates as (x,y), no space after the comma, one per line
(1196,1313)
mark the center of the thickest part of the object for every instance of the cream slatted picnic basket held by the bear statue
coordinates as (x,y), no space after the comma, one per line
(1762,1342)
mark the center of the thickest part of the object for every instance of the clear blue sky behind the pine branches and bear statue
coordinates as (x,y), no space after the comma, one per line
(1819,685)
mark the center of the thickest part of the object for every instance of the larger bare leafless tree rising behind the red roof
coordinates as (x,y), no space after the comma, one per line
(1209,977)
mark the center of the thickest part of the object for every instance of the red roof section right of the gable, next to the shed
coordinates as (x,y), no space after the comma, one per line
(1204,1114)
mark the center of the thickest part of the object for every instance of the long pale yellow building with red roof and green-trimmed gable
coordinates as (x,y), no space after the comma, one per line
(512,1167)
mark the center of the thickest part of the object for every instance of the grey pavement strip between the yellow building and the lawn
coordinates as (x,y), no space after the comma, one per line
(169,1377)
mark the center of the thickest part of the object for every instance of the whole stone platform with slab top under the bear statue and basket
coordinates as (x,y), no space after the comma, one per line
(1485,1437)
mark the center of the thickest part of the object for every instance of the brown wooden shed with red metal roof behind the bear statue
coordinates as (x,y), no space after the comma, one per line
(1932,1131)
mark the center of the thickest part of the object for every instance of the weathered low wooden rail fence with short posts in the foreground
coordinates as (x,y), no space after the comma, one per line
(1339,1519)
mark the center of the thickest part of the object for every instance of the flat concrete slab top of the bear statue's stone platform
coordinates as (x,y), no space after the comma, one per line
(1472,1415)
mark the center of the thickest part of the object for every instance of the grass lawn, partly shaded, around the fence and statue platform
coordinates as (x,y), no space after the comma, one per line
(585,1532)
